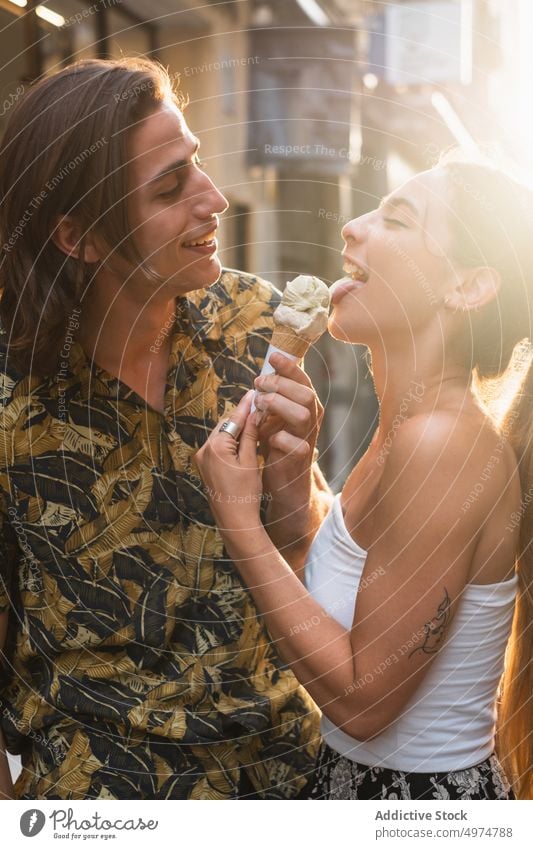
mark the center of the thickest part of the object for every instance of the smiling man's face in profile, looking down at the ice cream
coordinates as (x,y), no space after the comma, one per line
(173,206)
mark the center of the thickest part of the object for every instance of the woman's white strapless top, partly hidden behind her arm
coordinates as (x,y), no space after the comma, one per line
(448,724)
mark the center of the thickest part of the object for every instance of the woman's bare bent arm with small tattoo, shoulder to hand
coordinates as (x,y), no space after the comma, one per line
(423,553)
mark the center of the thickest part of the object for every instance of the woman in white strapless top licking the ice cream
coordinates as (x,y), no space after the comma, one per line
(401,633)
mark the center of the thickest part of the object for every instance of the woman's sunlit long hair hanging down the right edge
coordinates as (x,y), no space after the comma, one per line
(491,219)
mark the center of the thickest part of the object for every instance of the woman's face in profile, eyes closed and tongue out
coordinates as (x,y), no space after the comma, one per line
(397,264)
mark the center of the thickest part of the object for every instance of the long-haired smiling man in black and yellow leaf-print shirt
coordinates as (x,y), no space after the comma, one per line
(135,662)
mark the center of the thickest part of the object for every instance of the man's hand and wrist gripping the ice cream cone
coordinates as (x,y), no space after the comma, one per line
(291,417)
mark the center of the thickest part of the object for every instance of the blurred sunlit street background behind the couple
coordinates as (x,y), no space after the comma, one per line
(308,111)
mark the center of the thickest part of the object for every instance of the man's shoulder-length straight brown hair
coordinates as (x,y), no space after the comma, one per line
(64,152)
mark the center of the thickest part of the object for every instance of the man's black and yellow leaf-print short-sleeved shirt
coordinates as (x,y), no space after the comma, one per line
(136,665)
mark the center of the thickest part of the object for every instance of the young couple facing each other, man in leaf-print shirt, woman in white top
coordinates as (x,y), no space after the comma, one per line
(155,636)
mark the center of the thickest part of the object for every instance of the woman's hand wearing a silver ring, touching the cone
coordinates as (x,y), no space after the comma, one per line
(230,471)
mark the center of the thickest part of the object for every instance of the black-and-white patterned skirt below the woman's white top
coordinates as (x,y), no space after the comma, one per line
(338,777)
